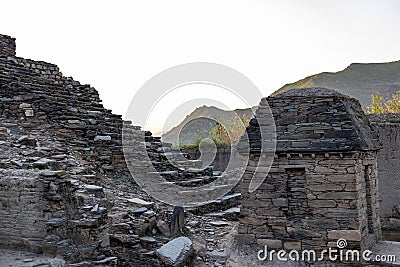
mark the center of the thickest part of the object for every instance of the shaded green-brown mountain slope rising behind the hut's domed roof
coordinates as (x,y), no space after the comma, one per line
(358,80)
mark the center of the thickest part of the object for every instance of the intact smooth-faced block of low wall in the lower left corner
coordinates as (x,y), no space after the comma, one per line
(22,201)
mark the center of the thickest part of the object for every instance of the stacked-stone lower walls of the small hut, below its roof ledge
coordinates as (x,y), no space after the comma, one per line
(306,203)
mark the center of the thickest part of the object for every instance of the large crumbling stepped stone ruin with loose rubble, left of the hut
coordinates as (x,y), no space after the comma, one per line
(65,188)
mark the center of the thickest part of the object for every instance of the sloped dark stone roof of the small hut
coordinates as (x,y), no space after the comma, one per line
(315,120)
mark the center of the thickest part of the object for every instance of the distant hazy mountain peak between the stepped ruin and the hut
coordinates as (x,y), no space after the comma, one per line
(200,122)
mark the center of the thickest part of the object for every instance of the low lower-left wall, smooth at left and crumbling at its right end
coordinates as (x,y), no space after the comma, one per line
(41,212)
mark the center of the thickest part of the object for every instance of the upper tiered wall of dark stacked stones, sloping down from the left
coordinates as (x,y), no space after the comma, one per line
(37,95)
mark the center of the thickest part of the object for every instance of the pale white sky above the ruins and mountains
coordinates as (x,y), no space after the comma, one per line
(116,46)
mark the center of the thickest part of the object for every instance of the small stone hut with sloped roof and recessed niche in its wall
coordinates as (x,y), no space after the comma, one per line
(323,184)
